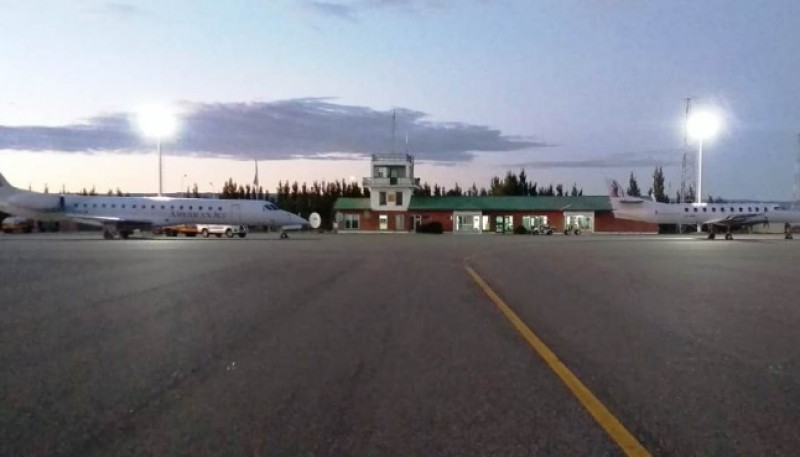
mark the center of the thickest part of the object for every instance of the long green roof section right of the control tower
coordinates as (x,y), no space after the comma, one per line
(587,203)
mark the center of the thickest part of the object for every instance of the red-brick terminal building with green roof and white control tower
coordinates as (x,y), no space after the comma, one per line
(391,207)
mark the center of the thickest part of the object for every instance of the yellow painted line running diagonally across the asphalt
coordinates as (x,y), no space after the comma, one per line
(612,426)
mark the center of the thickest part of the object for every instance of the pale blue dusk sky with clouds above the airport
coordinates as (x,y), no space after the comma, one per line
(571,91)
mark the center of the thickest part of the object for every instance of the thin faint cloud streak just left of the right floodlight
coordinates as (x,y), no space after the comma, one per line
(665,158)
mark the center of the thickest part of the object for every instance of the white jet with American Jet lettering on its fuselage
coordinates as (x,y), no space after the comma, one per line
(120,216)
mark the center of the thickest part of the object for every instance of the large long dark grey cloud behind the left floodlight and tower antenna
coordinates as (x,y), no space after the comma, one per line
(287,129)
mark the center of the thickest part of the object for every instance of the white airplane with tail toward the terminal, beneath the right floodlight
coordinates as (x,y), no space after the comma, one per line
(717,216)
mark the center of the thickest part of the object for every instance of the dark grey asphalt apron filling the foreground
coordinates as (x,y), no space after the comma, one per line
(384,345)
